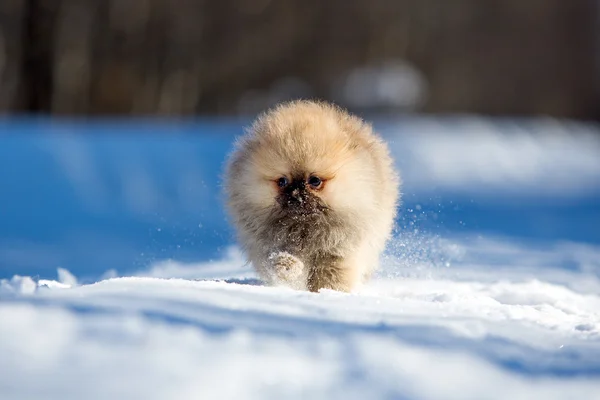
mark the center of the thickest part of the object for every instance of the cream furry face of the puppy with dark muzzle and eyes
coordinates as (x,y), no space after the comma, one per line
(306,169)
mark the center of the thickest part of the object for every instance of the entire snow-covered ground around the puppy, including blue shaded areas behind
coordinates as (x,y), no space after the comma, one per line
(490,289)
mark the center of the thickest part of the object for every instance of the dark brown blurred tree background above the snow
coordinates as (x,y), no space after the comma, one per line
(224,57)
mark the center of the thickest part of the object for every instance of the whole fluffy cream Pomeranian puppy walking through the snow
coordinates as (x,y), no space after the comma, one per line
(312,193)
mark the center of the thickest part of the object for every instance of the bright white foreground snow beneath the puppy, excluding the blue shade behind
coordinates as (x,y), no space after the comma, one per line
(437,326)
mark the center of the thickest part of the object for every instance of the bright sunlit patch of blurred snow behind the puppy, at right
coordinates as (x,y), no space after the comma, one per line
(518,158)
